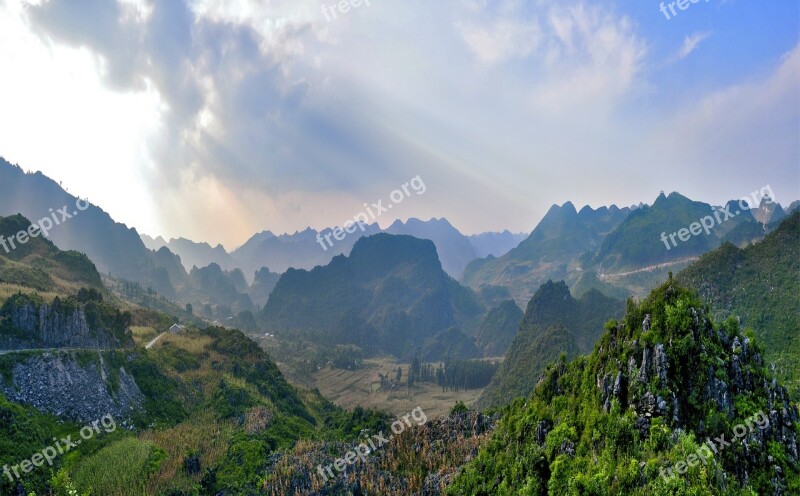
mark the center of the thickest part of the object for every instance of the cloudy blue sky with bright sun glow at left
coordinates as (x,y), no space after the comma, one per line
(217,119)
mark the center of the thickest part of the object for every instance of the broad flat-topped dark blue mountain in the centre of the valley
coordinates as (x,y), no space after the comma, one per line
(388,296)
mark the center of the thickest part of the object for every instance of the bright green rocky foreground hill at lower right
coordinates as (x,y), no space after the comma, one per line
(632,418)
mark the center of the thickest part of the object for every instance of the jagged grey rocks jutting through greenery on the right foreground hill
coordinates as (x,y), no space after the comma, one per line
(649,381)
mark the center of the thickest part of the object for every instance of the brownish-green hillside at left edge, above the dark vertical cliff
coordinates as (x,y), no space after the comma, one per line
(39,264)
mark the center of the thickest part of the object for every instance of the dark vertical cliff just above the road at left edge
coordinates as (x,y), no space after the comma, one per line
(26,323)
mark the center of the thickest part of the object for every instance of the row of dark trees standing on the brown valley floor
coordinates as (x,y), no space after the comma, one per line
(453,375)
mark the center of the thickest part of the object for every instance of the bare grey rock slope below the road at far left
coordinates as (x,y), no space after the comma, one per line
(82,387)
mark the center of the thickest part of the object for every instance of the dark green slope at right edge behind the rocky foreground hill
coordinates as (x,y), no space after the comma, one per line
(760,286)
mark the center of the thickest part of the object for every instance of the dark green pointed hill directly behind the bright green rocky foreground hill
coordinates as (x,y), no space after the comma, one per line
(554,323)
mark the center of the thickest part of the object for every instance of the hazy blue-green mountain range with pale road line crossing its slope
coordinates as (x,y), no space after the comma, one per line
(620,251)
